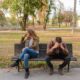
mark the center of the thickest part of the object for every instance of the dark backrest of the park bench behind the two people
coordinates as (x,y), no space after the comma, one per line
(42,49)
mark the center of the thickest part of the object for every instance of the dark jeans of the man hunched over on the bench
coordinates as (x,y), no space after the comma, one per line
(66,60)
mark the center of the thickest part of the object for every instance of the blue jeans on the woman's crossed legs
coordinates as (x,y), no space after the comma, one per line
(27,54)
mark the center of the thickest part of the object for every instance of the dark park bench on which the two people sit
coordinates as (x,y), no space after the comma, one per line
(42,53)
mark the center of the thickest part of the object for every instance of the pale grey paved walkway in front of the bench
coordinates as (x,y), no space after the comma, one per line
(39,74)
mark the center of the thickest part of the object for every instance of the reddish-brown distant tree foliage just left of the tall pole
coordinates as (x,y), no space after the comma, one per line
(65,17)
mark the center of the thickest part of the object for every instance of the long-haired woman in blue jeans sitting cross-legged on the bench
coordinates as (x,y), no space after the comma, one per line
(31,50)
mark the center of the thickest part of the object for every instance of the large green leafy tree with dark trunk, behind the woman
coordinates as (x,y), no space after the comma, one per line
(23,8)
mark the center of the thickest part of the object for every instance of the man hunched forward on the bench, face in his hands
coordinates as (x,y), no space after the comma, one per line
(56,49)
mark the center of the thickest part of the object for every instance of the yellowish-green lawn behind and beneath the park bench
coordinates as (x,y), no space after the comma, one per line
(8,39)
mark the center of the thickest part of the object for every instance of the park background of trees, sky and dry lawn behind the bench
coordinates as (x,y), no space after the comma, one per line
(50,18)
